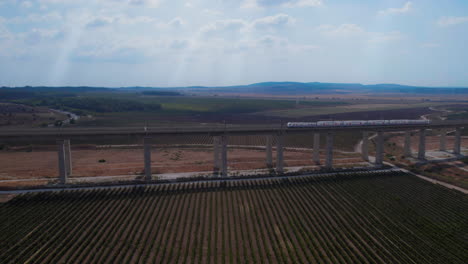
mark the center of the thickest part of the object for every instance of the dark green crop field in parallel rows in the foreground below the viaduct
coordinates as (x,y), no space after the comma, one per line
(386,217)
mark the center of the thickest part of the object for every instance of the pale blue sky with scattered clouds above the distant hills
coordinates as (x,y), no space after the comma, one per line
(163,43)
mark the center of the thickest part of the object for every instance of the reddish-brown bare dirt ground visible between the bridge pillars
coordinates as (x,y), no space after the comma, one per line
(42,164)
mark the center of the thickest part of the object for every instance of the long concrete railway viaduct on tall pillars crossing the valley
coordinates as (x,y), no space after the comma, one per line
(221,133)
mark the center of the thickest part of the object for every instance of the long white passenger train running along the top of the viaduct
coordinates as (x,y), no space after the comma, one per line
(356,123)
